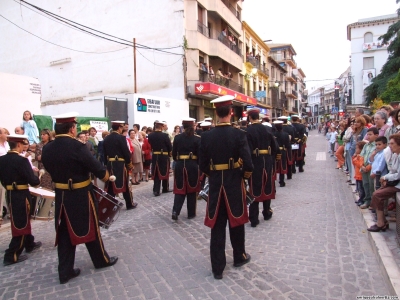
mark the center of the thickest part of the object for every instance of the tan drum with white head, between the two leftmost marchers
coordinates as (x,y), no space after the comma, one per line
(44,208)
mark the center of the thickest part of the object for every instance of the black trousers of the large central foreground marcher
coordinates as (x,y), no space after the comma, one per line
(218,238)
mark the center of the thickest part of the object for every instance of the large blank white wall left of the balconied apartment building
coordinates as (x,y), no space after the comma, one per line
(153,23)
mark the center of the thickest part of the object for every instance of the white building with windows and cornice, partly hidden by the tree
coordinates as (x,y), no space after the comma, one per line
(368,54)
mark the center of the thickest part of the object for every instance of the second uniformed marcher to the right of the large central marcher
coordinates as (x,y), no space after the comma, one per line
(282,163)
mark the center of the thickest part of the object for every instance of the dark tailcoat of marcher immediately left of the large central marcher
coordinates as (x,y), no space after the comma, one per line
(186,172)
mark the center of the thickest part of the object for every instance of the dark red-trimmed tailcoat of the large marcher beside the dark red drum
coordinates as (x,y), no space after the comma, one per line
(67,159)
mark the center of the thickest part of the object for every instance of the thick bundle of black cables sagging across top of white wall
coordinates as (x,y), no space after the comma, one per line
(68,22)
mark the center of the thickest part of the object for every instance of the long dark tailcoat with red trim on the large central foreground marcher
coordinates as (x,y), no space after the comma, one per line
(220,146)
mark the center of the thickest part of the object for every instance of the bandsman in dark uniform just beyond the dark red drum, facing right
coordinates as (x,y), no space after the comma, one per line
(118,157)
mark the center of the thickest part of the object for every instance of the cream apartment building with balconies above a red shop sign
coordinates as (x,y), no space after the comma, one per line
(215,57)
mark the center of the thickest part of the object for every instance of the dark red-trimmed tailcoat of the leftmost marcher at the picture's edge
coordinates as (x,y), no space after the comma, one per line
(15,168)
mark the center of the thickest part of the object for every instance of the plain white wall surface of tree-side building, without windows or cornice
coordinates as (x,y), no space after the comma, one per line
(357,55)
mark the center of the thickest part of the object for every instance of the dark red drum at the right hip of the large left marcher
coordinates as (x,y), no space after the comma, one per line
(109,207)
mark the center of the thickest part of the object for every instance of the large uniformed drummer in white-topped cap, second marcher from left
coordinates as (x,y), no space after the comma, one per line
(69,163)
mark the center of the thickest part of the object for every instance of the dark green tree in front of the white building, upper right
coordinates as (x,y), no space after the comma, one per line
(390,68)
